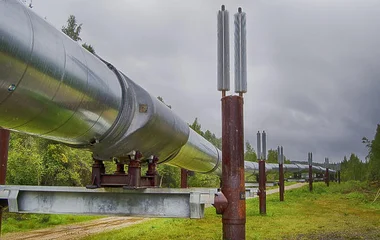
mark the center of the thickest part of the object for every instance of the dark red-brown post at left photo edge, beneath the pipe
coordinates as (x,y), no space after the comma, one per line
(4,146)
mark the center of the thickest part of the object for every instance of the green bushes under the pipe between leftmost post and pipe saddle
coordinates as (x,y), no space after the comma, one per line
(36,161)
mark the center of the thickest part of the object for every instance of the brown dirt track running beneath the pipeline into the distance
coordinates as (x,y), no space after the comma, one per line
(80,230)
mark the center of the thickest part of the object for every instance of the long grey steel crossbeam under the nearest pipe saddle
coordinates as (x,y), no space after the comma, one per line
(150,202)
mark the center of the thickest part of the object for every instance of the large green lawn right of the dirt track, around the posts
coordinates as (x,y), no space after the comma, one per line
(340,211)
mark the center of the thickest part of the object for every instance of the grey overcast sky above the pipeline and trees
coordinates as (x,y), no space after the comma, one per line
(313,66)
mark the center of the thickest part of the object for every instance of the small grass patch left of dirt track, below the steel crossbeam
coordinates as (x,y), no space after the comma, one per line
(13,222)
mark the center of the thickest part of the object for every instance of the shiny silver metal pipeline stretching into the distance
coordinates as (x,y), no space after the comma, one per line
(53,88)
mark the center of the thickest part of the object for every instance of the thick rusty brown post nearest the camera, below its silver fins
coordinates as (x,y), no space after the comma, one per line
(234,215)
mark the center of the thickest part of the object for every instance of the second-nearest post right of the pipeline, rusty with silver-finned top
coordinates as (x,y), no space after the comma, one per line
(262,178)
